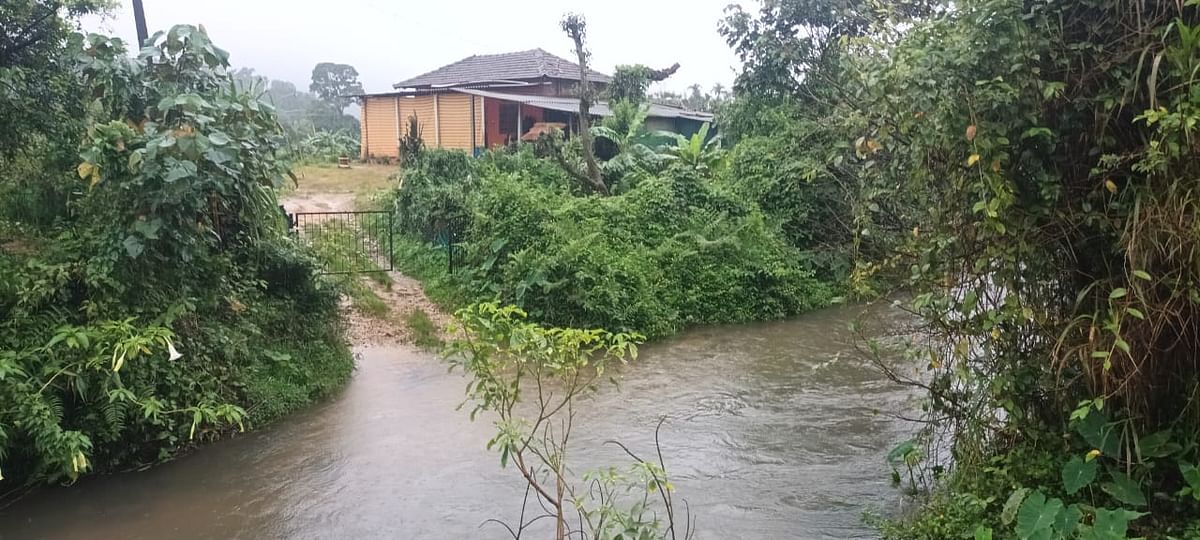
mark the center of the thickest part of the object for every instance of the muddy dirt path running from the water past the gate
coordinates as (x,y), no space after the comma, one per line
(326,189)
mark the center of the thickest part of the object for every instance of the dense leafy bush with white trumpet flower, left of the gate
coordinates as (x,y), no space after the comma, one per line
(157,302)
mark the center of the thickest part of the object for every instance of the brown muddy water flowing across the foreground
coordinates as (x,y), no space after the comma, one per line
(773,431)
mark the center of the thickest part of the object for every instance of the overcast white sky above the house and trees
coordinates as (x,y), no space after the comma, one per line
(391,41)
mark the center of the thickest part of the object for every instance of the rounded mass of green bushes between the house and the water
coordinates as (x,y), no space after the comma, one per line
(673,251)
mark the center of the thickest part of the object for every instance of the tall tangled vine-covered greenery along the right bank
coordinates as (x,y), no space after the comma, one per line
(1046,161)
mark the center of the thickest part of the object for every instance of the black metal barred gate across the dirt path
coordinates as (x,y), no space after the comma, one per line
(349,243)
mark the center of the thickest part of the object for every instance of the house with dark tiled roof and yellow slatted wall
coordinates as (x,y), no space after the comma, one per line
(485,101)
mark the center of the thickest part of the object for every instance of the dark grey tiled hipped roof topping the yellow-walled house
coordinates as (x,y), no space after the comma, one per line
(533,64)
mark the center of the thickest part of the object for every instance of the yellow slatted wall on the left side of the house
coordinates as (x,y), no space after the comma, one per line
(452,130)
